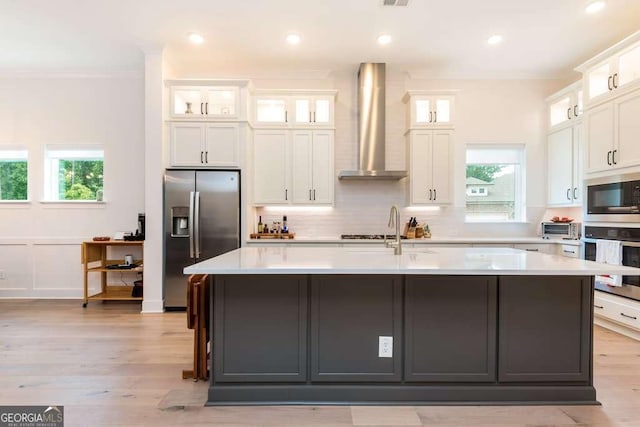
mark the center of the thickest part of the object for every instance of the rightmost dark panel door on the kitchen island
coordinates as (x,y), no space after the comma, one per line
(544,328)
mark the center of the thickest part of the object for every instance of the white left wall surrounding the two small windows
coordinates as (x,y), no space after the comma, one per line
(40,243)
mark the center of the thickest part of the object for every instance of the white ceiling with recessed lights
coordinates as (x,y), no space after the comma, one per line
(431,38)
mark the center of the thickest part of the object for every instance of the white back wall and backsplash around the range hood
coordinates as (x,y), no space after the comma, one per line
(504,111)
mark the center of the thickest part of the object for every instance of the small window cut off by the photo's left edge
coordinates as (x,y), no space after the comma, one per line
(13,173)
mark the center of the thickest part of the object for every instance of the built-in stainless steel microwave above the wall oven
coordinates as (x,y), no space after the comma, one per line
(613,199)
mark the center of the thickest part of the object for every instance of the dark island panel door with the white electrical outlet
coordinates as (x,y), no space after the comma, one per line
(349,314)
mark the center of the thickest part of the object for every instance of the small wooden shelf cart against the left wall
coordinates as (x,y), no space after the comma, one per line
(94,260)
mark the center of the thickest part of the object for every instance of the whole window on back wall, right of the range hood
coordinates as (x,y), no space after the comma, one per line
(495,183)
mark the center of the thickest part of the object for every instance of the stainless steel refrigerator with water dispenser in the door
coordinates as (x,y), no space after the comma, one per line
(201,220)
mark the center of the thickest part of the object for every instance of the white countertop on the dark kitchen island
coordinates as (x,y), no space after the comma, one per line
(434,260)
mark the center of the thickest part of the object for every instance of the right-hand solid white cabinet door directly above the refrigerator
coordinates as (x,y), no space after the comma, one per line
(222,145)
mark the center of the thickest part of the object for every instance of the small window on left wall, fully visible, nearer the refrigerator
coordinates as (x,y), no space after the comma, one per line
(73,172)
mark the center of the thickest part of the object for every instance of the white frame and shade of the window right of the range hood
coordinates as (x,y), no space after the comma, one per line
(511,154)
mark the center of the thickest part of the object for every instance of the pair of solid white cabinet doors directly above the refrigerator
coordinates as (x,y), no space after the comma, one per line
(204,144)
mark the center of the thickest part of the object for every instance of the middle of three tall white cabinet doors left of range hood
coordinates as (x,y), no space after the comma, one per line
(302,161)
